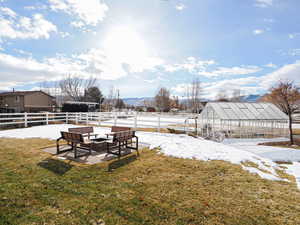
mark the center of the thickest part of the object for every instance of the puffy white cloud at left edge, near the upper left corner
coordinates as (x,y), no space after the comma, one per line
(13,26)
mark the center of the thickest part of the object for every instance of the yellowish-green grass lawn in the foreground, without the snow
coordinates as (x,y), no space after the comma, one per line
(36,188)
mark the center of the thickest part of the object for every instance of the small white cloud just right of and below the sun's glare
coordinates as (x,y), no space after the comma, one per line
(191,64)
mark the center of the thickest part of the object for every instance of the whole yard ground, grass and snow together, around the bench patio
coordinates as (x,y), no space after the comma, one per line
(194,181)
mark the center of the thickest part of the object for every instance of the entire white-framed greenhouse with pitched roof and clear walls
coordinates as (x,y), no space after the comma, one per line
(245,120)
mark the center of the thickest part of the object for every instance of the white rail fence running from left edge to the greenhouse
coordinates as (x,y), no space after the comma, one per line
(130,119)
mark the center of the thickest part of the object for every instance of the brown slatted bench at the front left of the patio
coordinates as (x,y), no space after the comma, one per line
(76,141)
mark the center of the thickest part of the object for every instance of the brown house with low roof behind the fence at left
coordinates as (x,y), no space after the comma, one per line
(26,101)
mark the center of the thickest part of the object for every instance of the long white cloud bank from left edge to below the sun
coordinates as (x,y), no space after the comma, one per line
(95,62)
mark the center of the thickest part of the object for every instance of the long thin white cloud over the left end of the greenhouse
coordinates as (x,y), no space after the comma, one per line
(230,71)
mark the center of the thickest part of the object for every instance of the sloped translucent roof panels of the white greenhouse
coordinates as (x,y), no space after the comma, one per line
(245,111)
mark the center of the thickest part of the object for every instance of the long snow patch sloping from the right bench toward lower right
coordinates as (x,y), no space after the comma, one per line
(184,146)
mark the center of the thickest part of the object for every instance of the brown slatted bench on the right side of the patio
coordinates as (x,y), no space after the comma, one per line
(121,139)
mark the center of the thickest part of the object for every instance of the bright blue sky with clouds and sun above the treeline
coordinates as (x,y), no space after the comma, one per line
(139,46)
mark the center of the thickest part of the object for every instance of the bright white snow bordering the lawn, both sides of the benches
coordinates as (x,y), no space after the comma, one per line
(181,146)
